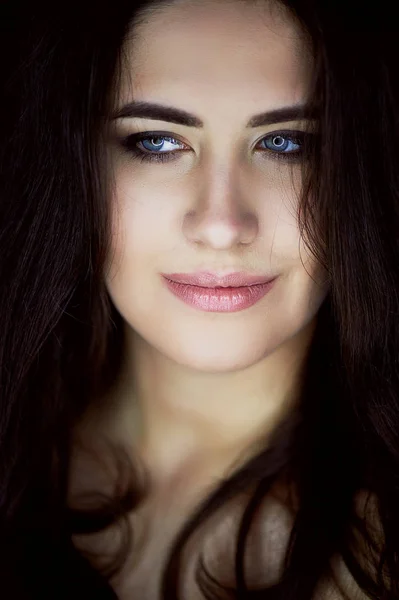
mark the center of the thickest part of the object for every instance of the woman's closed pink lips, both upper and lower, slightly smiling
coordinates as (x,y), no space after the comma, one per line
(211,292)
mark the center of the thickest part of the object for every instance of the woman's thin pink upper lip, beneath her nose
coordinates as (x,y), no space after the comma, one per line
(210,279)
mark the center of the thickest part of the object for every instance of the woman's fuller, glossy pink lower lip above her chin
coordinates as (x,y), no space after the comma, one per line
(219,299)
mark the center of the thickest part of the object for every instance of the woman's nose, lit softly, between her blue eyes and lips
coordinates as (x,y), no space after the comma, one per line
(220,216)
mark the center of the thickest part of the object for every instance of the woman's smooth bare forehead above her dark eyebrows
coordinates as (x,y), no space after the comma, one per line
(226,49)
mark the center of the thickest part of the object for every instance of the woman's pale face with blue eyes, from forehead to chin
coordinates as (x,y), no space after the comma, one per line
(216,192)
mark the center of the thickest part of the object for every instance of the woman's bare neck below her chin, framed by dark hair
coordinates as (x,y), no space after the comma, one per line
(177,415)
